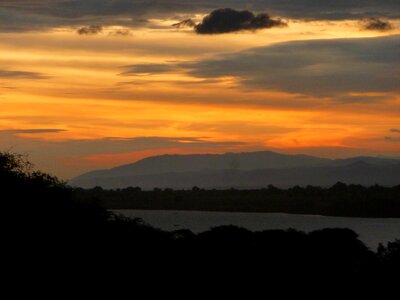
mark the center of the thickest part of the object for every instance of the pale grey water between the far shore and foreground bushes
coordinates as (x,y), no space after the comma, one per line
(371,231)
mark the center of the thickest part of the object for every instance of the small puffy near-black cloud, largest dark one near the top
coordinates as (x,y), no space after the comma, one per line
(227,20)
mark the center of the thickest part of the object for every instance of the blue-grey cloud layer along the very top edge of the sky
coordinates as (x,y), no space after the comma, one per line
(35,14)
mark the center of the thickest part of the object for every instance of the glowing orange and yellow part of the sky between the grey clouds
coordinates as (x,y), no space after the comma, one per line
(71,91)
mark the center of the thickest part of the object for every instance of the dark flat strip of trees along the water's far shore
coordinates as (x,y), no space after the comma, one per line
(338,200)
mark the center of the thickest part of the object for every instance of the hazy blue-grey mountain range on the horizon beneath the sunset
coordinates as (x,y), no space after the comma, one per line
(244,170)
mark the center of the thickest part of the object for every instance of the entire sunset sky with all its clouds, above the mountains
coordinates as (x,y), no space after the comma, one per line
(94,84)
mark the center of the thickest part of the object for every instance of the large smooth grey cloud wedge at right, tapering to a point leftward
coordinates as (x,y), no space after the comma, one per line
(313,67)
